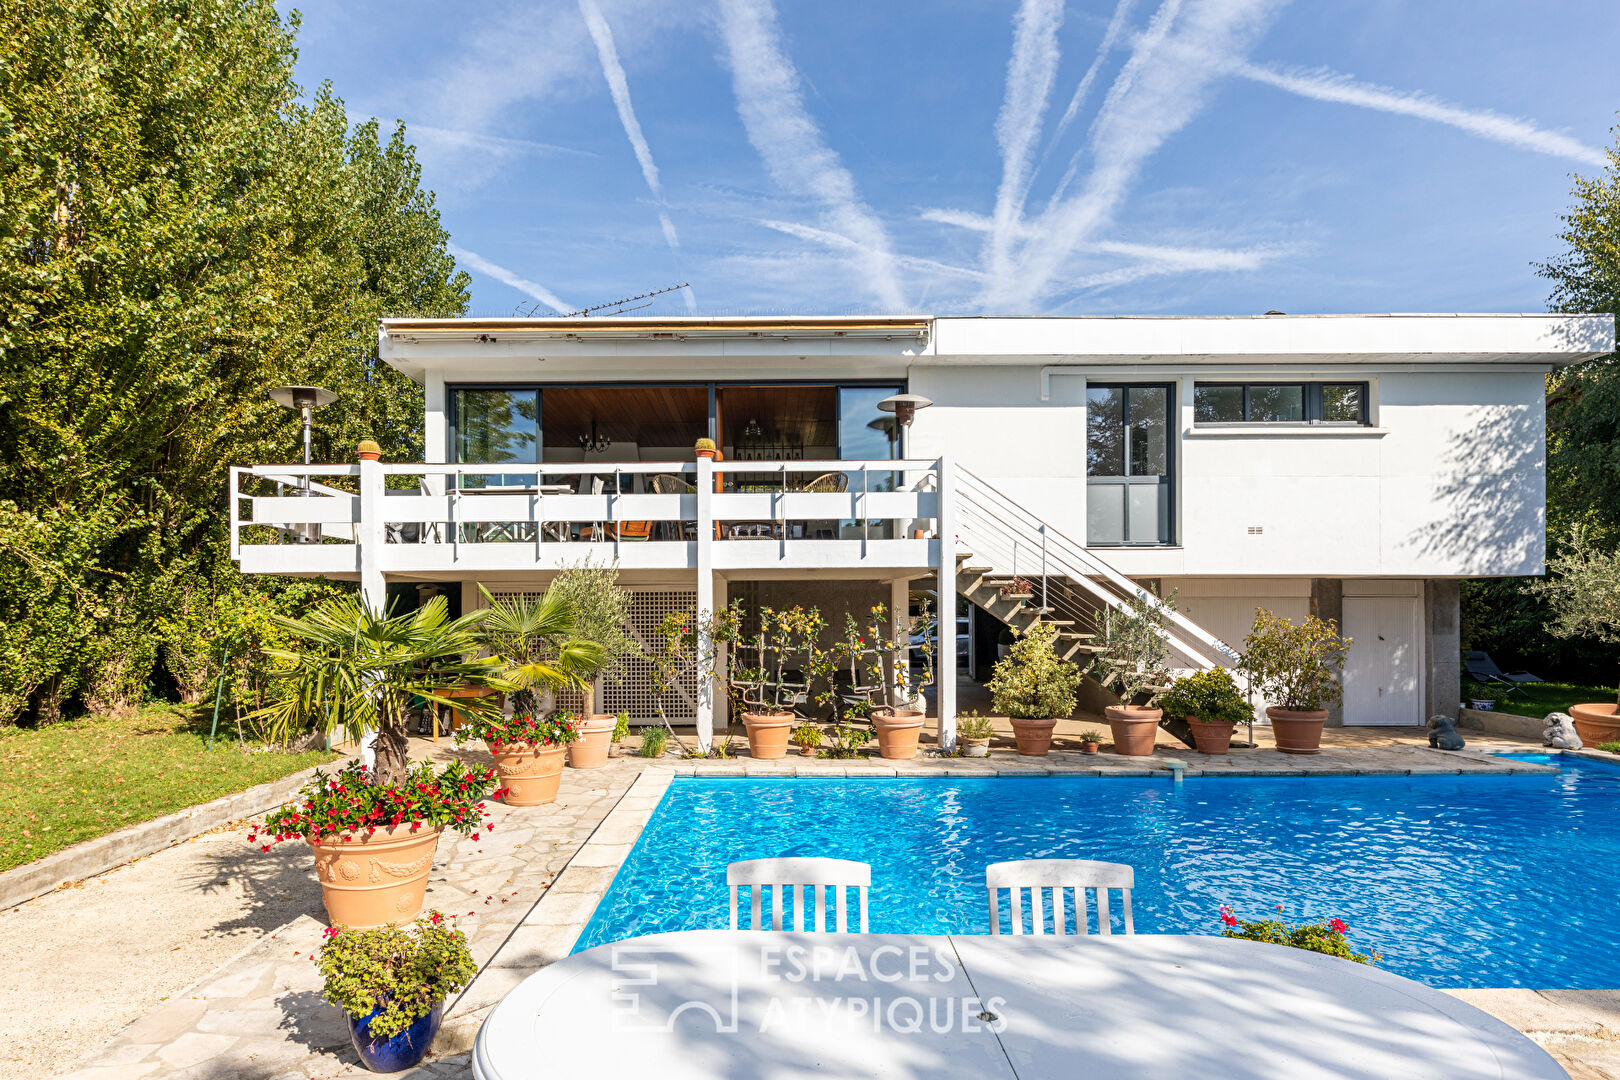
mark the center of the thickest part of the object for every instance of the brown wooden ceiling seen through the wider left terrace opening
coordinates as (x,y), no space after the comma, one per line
(650,417)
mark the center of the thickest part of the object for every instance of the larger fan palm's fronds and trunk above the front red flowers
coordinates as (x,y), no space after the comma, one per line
(356,670)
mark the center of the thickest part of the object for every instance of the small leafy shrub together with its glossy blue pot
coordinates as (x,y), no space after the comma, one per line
(391,985)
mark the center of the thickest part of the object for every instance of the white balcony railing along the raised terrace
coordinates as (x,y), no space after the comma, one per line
(427,517)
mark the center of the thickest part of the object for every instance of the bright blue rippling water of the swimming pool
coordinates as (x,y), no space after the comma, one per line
(1459,882)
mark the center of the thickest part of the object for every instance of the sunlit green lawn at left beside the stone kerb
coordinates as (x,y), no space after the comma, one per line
(80,780)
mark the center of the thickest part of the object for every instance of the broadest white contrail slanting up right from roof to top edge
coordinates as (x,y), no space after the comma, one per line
(1154,96)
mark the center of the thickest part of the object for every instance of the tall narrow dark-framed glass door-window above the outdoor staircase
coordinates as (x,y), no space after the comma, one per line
(1128,464)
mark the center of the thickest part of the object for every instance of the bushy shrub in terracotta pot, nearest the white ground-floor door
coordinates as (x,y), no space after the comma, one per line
(1297,668)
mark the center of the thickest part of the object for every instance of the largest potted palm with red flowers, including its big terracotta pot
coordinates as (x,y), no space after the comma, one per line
(360,671)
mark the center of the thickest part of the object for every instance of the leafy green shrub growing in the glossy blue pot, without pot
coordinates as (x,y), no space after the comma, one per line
(399,972)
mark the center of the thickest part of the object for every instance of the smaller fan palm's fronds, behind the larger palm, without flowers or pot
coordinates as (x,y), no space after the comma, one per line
(535,645)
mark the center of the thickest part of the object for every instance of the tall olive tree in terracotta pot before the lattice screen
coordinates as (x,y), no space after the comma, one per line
(602,616)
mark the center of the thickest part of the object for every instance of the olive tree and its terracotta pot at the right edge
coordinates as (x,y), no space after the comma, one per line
(1584,590)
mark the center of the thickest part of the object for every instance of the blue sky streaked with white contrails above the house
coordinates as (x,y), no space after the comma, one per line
(966,156)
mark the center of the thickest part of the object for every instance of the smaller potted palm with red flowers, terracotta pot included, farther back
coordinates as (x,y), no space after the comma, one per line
(535,644)
